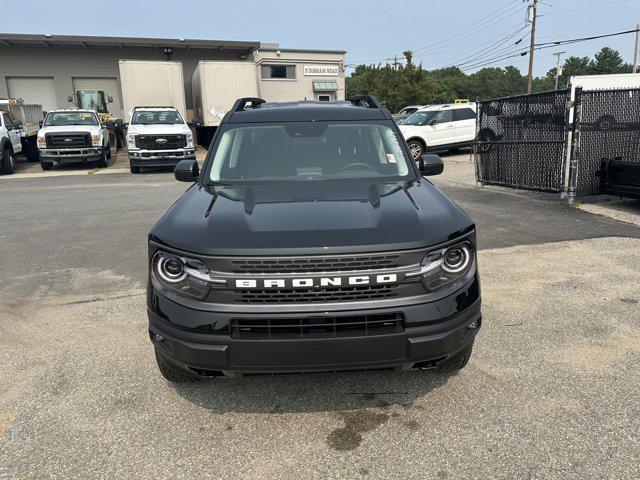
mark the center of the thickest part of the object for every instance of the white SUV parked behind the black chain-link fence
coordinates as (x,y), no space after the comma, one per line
(440,127)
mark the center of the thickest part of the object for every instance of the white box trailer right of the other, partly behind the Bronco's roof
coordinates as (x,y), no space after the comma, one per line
(216,85)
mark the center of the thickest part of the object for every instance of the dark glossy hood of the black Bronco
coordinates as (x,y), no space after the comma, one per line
(310,218)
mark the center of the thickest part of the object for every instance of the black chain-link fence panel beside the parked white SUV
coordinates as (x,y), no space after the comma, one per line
(521,141)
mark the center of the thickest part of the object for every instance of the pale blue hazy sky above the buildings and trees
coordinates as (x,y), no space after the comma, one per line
(471,33)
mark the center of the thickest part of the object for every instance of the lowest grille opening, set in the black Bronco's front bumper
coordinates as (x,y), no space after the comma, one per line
(316,327)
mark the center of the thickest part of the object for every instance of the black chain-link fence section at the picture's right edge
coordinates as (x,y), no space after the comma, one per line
(607,126)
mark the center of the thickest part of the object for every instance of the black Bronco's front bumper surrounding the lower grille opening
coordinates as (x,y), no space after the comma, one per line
(434,331)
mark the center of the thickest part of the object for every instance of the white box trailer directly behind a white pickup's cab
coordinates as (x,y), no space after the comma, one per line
(152,84)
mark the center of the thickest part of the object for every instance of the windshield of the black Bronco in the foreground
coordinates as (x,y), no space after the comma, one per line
(308,151)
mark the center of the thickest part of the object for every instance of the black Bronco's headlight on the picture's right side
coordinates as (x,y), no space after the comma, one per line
(444,266)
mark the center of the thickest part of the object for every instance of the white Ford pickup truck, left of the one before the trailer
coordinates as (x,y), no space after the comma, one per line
(73,135)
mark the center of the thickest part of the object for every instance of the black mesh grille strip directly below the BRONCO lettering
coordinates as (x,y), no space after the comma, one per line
(316,295)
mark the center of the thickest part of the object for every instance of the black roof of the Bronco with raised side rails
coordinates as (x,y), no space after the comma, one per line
(307,111)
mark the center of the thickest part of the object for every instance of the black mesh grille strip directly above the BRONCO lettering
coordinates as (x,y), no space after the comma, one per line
(321,264)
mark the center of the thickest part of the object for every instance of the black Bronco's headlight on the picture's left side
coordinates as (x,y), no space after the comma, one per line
(183,275)
